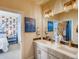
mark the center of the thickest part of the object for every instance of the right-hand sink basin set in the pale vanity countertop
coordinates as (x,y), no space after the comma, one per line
(69,49)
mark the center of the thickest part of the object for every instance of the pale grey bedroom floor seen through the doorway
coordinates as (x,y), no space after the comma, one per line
(13,53)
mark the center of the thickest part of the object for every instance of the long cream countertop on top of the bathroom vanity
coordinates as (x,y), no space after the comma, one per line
(64,49)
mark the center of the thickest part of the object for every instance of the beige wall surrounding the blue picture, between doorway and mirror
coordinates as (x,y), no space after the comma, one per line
(28,9)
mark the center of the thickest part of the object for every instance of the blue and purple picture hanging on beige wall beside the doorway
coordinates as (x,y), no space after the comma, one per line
(30,24)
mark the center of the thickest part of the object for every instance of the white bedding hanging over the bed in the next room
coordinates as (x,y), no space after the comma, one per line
(4,44)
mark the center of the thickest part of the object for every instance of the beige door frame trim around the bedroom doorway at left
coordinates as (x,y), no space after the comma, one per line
(22,14)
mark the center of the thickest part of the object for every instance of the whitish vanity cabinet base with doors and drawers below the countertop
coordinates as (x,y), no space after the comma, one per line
(42,52)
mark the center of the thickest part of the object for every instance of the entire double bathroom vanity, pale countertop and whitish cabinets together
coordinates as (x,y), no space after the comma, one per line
(47,50)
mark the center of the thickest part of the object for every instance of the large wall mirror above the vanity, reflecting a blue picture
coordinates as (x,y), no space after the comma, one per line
(60,28)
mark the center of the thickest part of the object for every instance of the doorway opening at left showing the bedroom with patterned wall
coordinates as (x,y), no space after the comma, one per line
(10,35)
